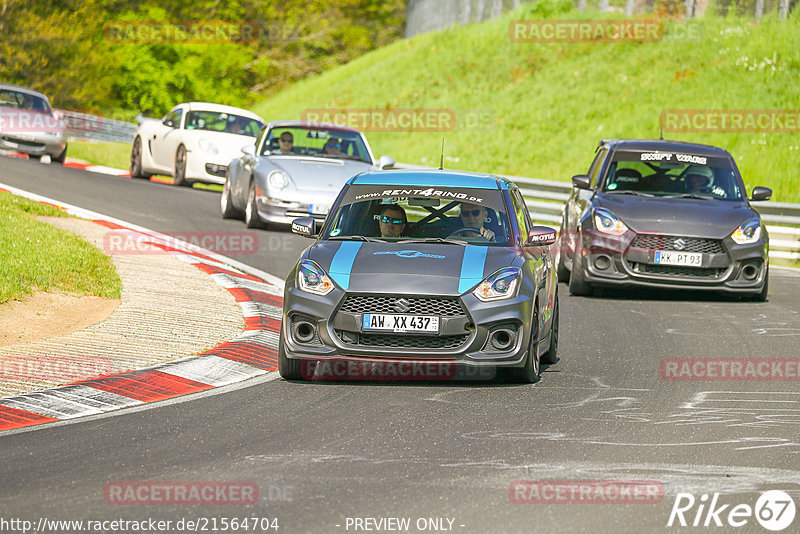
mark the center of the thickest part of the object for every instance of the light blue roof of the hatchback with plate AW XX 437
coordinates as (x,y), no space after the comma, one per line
(432,178)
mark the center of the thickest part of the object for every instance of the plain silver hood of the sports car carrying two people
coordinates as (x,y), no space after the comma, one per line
(314,174)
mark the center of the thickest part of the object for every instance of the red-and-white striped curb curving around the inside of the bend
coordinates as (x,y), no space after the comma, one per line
(252,353)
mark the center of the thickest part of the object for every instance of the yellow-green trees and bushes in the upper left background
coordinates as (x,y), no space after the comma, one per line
(64,48)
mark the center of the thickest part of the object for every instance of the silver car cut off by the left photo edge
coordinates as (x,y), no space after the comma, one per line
(28,124)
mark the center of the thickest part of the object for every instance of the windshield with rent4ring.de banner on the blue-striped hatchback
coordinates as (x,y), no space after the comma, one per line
(400,213)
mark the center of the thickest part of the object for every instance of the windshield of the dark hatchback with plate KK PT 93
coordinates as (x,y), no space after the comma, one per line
(672,174)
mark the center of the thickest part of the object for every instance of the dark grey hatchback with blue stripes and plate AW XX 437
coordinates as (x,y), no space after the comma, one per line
(421,275)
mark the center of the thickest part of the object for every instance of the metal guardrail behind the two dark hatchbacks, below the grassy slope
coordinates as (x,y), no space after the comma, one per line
(546,199)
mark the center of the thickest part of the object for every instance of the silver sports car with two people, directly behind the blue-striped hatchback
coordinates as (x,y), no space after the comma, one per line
(295,169)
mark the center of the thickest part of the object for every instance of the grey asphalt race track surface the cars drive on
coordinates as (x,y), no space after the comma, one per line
(323,452)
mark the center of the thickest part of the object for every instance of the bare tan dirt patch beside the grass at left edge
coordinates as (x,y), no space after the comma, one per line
(47,315)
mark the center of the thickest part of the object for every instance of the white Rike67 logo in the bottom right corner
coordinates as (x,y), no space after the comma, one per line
(774,510)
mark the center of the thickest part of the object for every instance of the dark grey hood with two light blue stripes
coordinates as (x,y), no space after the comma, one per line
(409,268)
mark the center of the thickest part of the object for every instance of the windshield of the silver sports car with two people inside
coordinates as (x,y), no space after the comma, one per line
(319,142)
